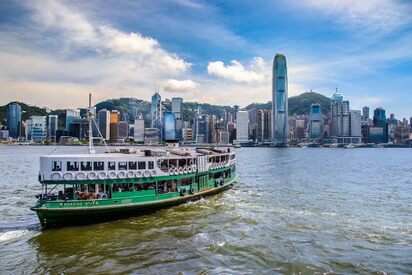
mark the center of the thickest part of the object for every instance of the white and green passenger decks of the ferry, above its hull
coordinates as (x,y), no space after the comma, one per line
(132,176)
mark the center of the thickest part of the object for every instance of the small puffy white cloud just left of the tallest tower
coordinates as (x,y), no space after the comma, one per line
(237,72)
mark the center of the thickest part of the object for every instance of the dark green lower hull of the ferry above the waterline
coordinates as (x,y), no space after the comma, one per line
(58,217)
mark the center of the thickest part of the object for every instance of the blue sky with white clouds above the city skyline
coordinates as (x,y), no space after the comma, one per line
(54,53)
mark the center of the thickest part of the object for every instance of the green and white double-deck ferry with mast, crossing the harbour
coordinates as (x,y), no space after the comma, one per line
(93,187)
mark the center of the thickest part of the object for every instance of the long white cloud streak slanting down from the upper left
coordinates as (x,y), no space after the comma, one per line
(77,29)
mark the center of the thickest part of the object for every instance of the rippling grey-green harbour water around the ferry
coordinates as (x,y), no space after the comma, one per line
(293,210)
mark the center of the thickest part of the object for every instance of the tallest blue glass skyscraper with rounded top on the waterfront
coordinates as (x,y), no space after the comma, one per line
(280,100)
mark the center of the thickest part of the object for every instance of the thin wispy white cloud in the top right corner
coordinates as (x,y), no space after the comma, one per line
(375,15)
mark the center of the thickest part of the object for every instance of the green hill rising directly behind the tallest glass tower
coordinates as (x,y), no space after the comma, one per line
(300,104)
